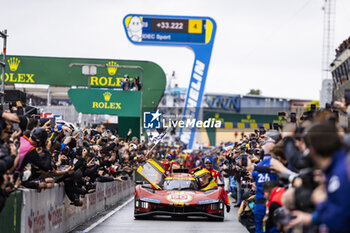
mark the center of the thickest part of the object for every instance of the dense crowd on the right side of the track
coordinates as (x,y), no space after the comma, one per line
(294,178)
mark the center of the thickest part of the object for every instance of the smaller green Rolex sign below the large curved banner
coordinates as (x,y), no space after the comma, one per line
(113,102)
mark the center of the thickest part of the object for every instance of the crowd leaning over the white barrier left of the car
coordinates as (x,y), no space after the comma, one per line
(37,152)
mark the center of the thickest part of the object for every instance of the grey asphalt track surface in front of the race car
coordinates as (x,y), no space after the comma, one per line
(123,221)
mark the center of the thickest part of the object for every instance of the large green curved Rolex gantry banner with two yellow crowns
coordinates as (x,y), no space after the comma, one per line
(58,71)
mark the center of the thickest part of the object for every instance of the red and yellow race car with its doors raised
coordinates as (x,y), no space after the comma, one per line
(179,194)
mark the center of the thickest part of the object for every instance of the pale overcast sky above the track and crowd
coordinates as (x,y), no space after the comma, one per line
(271,45)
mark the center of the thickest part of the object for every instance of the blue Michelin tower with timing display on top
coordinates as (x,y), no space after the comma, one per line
(197,33)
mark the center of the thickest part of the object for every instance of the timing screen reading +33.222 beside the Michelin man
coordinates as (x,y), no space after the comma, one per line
(167,30)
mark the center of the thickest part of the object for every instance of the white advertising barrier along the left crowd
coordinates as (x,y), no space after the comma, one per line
(50,210)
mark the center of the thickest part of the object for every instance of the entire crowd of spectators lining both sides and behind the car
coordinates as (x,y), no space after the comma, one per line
(293,178)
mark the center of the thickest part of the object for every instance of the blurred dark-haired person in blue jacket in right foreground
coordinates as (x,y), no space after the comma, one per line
(332,198)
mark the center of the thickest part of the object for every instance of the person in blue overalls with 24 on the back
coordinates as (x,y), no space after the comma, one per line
(260,178)
